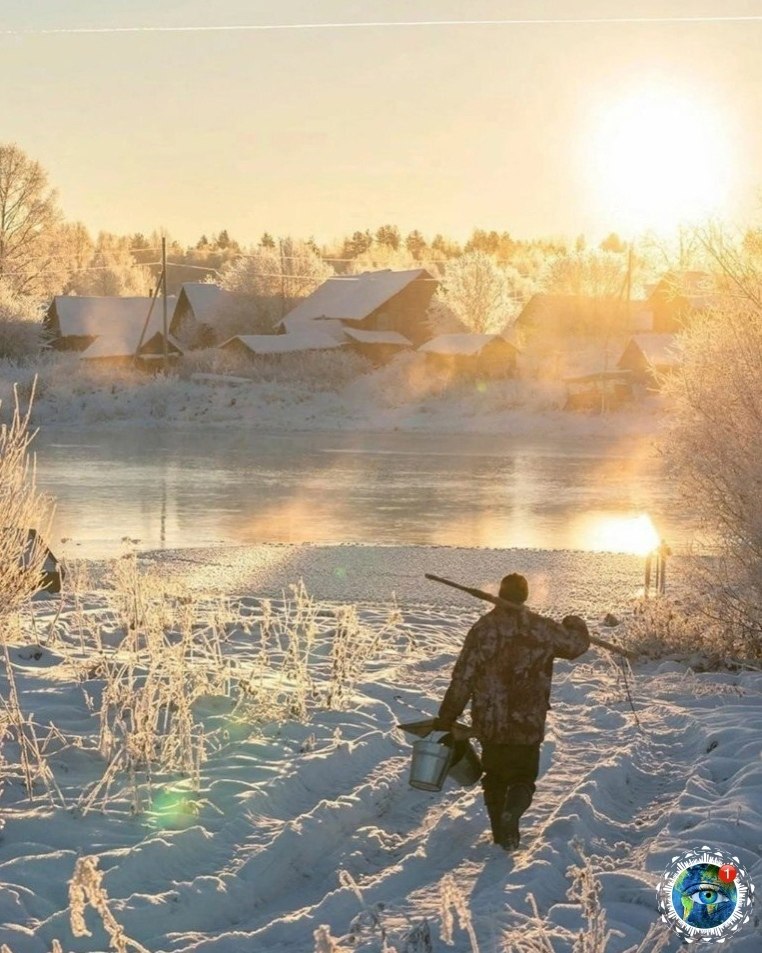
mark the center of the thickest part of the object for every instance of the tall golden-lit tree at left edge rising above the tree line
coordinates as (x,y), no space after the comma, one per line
(33,241)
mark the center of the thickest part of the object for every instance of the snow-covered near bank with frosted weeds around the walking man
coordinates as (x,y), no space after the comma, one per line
(301,833)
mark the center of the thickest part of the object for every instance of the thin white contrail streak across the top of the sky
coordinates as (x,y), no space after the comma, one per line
(387,24)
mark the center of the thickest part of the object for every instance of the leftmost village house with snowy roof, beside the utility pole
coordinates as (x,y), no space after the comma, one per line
(73,322)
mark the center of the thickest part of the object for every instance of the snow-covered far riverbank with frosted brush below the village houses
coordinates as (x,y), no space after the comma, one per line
(313,395)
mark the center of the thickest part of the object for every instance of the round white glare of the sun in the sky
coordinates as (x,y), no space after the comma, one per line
(660,158)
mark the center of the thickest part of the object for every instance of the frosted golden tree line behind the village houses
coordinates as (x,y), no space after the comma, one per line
(483,281)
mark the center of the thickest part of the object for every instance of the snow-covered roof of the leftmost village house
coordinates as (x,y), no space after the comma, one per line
(82,316)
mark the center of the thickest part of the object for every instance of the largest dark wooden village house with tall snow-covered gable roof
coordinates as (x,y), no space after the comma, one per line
(372,301)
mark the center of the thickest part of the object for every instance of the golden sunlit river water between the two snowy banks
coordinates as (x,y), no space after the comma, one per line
(192,488)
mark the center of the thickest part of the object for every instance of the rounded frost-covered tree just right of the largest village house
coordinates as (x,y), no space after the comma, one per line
(477,294)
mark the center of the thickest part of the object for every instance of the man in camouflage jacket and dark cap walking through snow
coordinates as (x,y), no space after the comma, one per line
(505,667)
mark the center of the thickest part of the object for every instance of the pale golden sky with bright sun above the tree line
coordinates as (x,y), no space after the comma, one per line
(535,128)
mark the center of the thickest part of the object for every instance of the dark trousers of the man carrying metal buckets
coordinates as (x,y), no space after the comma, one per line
(508,781)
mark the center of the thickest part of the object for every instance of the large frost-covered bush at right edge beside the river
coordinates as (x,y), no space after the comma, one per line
(713,442)
